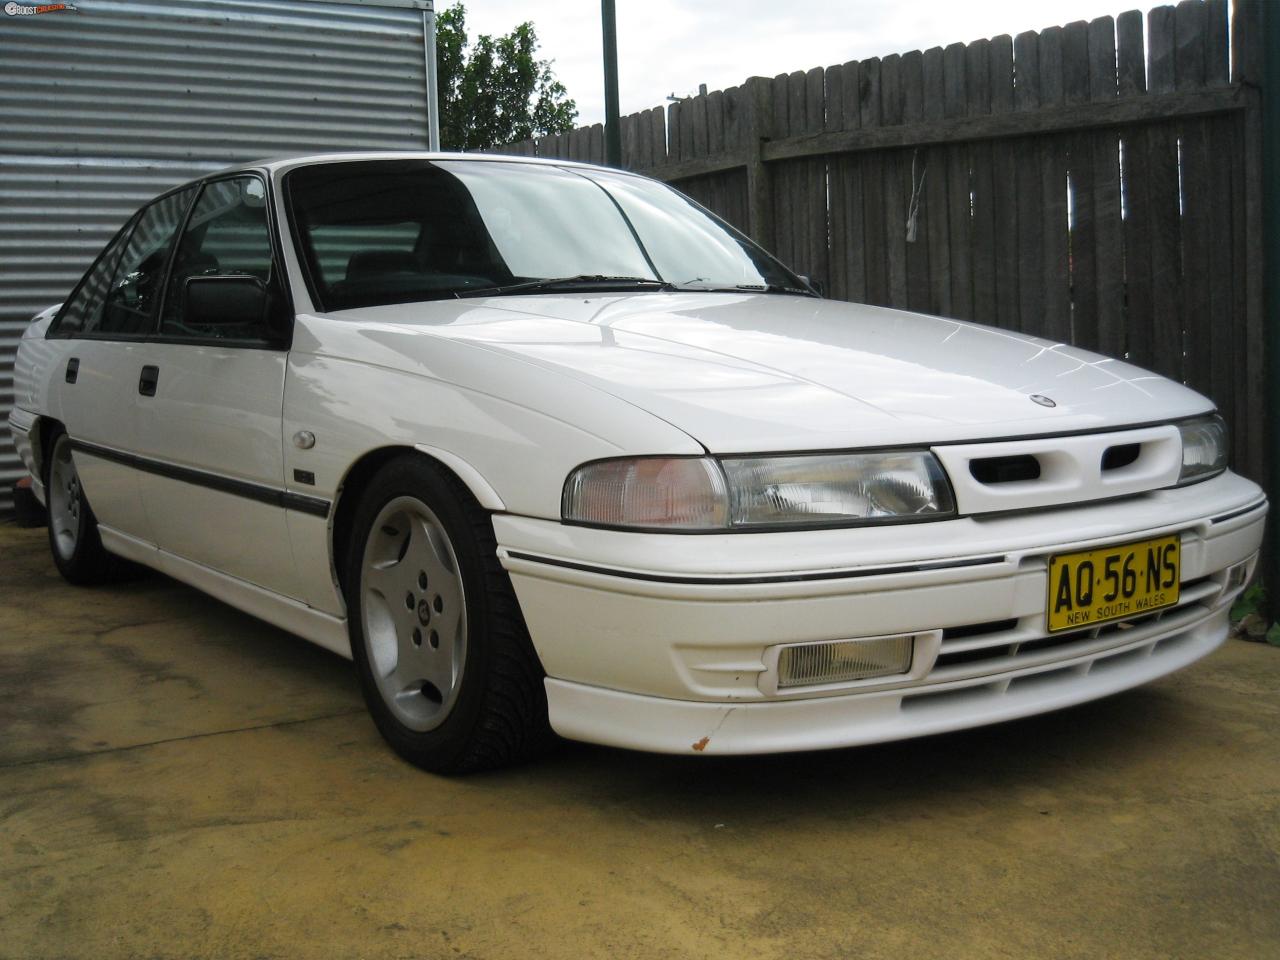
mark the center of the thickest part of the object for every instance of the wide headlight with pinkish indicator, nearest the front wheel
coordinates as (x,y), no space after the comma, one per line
(758,493)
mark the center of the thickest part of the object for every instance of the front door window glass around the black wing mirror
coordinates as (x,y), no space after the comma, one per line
(228,235)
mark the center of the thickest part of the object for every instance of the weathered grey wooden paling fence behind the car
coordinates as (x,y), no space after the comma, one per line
(1078,184)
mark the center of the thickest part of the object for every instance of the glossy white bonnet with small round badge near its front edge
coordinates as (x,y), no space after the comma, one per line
(755,373)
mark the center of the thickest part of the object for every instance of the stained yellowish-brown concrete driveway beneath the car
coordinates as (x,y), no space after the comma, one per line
(179,780)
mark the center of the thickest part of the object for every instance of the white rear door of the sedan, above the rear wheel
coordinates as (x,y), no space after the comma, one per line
(107,322)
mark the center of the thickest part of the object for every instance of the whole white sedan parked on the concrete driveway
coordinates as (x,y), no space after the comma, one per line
(547,447)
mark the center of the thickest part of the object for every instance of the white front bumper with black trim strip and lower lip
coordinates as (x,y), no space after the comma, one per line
(666,643)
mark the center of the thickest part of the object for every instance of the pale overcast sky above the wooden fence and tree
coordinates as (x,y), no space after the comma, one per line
(668,47)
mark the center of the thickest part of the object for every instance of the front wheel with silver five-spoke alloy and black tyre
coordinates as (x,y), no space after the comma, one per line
(444,657)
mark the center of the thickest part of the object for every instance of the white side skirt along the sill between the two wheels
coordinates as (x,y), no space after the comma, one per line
(321,629)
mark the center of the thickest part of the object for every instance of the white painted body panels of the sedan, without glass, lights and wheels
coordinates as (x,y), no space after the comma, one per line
(671,651)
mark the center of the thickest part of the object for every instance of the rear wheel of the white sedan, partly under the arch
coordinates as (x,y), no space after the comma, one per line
(74,536)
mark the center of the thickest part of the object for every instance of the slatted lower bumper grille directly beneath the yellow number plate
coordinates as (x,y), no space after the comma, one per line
(1008,644)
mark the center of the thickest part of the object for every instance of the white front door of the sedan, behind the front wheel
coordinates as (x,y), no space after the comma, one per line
(209,422)
